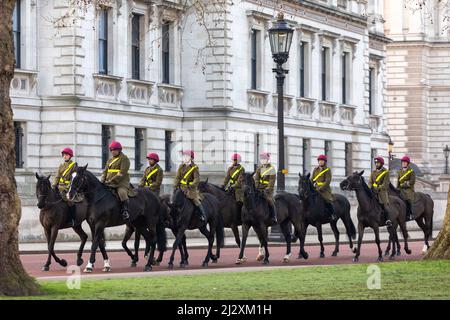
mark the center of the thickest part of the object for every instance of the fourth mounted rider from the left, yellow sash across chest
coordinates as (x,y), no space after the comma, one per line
(188,178)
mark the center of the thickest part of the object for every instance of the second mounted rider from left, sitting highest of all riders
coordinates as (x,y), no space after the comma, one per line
(115,176)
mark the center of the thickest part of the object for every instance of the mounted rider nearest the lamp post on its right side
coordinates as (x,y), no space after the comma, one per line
(321,179)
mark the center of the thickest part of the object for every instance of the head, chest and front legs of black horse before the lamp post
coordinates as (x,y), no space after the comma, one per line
(254,214)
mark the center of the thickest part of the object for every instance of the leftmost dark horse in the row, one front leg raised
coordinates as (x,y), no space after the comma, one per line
(54,216)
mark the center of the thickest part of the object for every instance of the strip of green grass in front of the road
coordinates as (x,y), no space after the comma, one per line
(399,280)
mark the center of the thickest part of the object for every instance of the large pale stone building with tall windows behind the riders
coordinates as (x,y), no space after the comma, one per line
(148,74)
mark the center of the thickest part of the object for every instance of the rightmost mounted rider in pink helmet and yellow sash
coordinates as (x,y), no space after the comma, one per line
(406,178)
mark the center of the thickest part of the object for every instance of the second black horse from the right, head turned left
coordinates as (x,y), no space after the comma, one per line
(370,214)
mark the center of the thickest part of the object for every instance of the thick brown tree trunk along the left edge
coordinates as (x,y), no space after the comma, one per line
(13,278)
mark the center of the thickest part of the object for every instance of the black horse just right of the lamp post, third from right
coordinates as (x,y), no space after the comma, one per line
(315,213)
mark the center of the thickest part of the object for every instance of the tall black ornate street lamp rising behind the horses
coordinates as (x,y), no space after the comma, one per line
(280,36)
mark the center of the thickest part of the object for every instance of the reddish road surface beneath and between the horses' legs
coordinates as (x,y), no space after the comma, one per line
(120,262)
